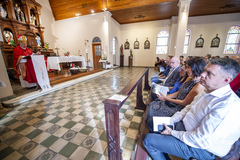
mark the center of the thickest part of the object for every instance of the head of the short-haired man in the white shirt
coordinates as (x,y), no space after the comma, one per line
(218,73)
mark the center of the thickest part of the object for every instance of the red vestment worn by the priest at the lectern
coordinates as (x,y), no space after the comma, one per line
(18,52)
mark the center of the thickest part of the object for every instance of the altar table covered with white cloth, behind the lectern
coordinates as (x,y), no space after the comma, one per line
(56,63)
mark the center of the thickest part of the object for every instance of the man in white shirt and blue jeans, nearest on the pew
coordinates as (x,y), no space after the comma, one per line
(209,126)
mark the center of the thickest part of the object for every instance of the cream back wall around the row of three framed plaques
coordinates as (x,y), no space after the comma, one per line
(142,31)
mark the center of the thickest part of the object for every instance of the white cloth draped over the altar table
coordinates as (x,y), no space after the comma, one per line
(53,62)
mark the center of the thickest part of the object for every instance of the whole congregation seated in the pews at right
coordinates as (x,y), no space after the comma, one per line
(203,103)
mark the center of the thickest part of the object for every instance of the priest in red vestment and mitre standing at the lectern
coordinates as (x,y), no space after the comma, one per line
(22,63)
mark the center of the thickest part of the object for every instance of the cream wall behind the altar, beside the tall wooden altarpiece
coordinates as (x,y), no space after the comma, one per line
(73,32)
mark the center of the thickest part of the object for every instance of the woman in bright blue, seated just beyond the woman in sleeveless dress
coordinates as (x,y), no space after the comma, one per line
(177,85)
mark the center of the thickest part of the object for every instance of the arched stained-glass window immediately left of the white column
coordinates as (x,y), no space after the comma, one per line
(162,42)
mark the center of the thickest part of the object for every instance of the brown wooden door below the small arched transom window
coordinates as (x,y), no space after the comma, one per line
(96,55)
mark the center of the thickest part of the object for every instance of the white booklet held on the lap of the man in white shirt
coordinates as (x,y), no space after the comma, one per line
(158,123)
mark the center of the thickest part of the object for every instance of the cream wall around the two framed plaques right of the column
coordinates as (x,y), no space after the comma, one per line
(209,26)
